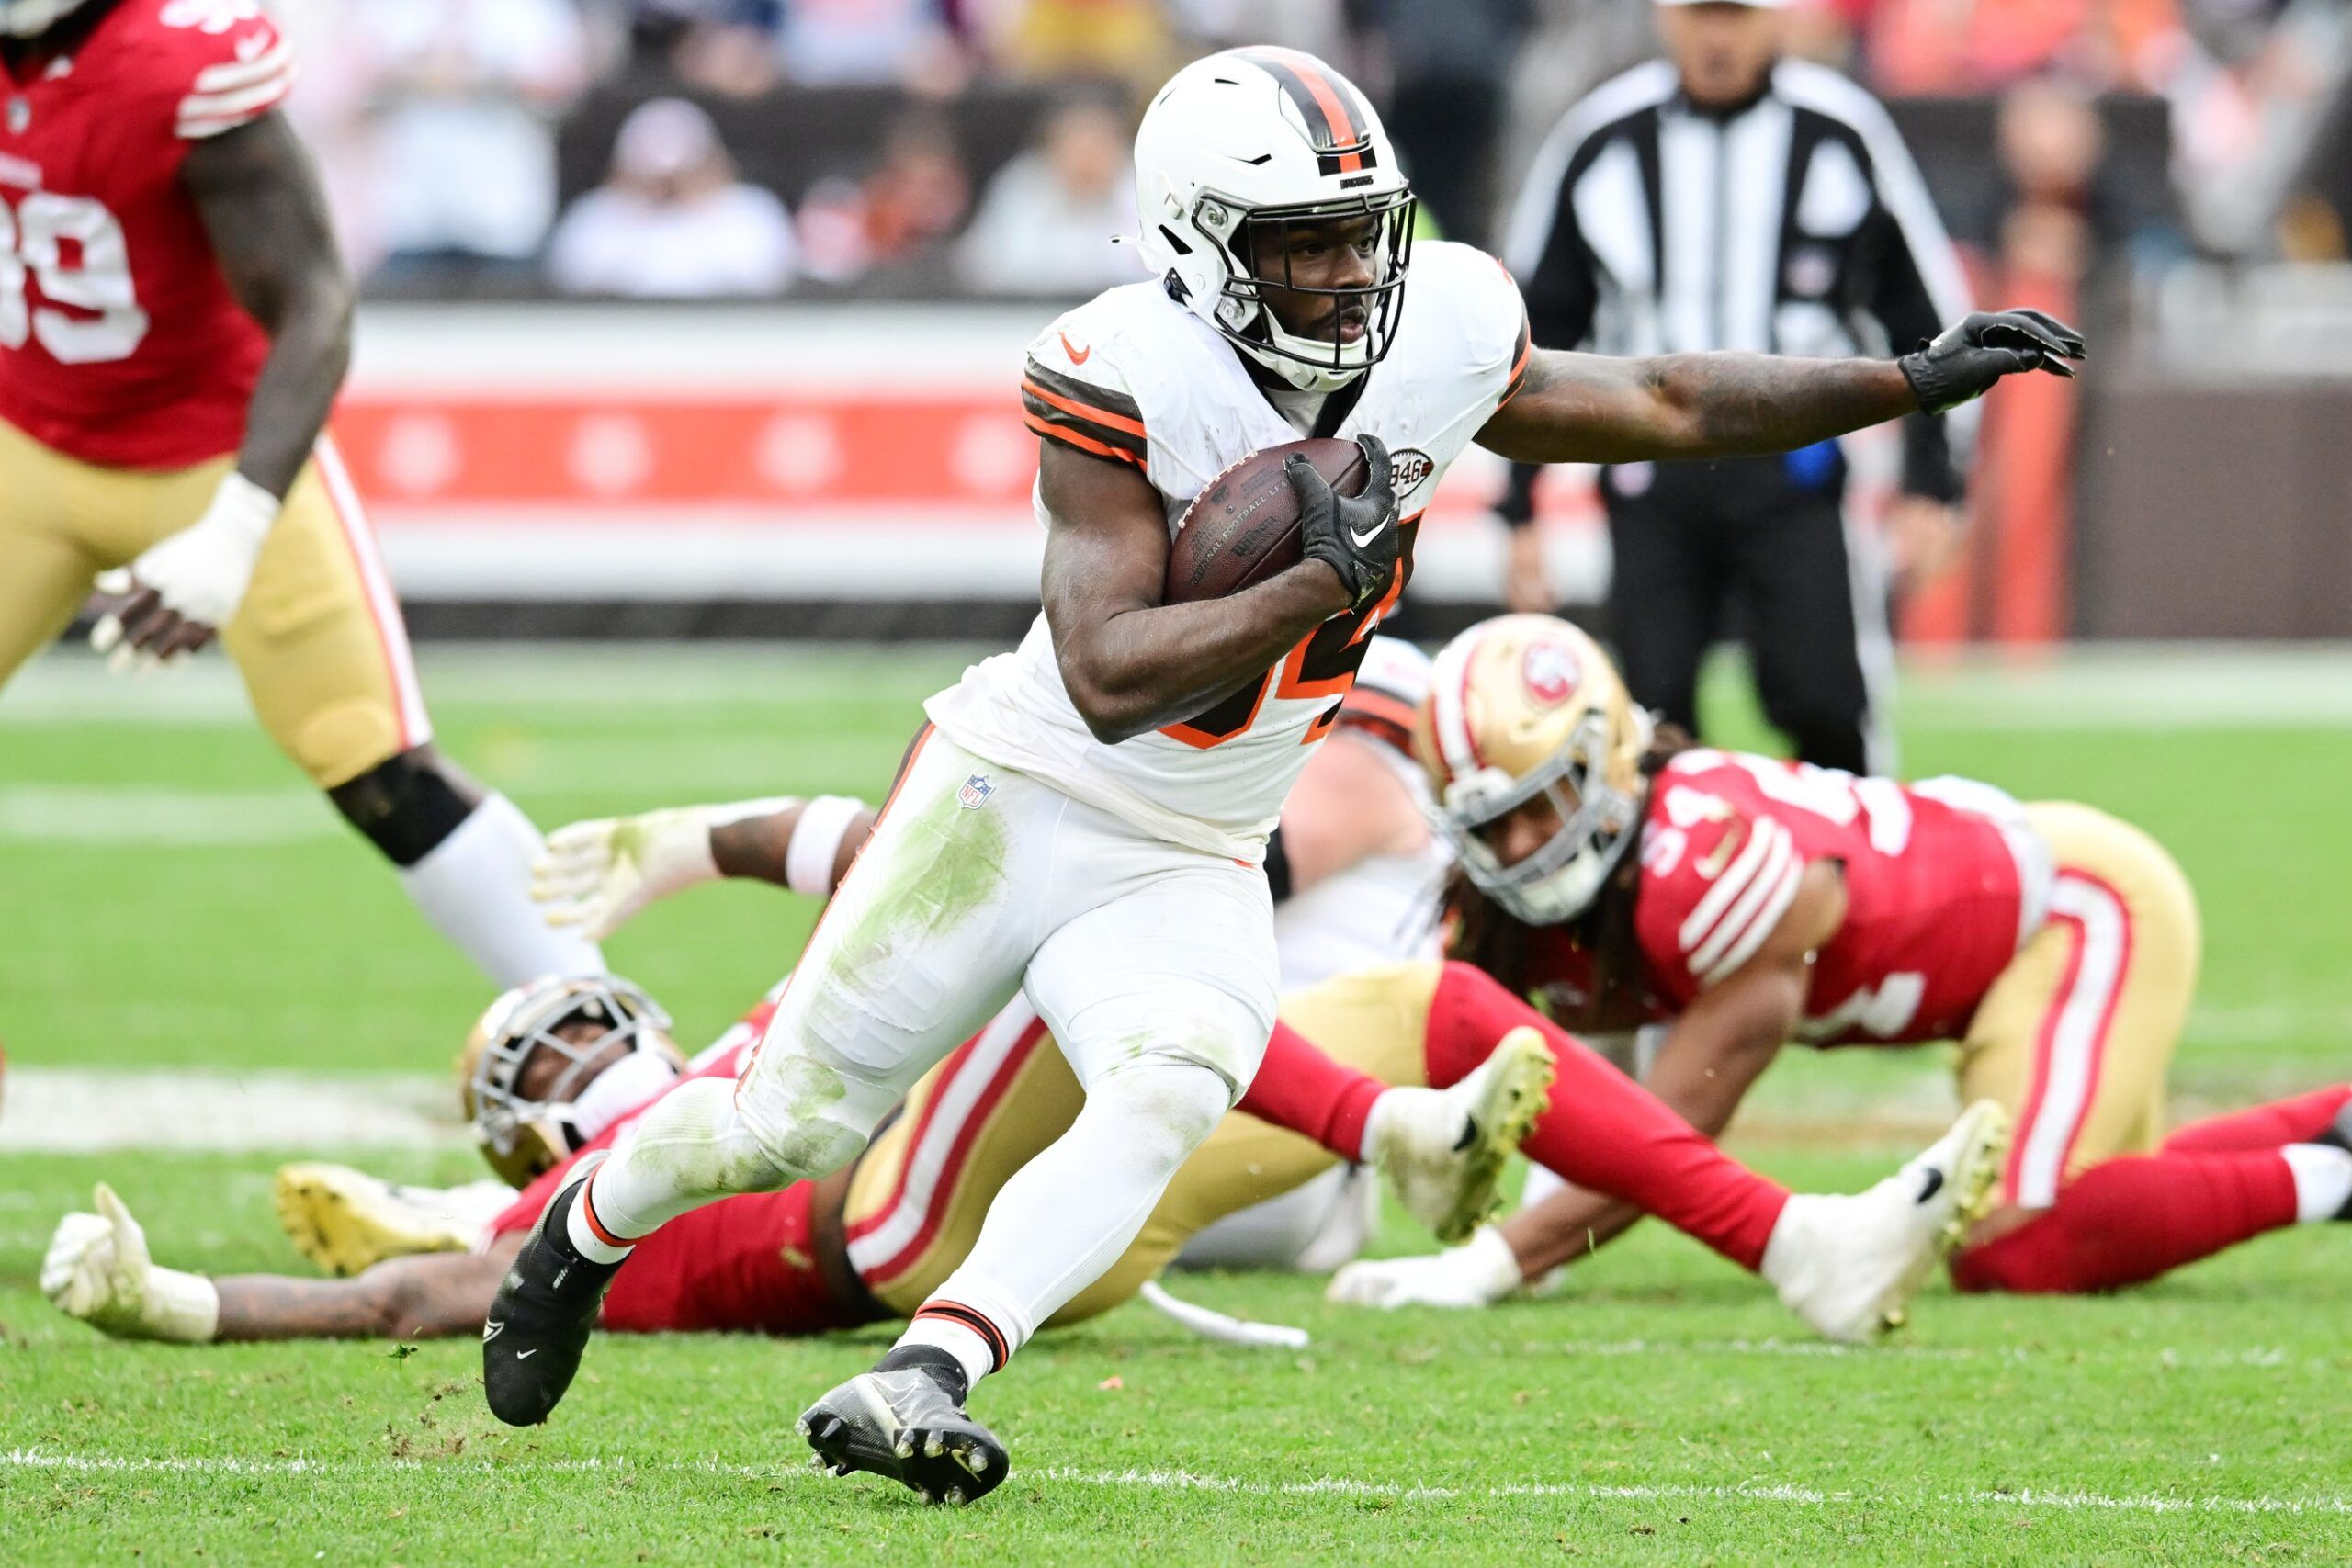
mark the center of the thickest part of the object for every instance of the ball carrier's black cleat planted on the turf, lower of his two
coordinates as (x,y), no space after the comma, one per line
(907,1421)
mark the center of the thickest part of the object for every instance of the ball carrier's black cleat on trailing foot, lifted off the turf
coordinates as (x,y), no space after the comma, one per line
(544,1313)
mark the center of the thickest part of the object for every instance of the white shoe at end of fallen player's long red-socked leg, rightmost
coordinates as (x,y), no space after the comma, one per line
(1850,1266)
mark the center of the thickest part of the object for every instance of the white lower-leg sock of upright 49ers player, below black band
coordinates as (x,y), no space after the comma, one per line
(476,890)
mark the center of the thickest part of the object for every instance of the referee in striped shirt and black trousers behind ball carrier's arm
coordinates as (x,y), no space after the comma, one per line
(1732,199)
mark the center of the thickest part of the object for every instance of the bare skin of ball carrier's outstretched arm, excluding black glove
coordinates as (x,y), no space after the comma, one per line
(1601,410)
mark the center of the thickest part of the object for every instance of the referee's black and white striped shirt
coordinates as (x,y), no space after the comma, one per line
(1796,225)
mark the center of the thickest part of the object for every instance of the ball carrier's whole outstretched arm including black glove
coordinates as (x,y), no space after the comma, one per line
(1596,410)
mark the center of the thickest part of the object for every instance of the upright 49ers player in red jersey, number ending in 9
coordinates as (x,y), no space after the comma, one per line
(173,330)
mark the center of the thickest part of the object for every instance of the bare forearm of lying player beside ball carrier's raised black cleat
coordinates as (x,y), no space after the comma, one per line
(410,1299)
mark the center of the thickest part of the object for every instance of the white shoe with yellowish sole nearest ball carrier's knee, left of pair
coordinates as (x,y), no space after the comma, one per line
(1443,1151)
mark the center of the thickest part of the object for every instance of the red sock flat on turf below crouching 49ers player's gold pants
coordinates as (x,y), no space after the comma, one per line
(2134,1219)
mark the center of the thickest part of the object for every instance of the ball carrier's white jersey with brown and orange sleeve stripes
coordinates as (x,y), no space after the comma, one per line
(1132,377)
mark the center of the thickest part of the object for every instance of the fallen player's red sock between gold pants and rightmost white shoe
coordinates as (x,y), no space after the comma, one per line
(1605,1132)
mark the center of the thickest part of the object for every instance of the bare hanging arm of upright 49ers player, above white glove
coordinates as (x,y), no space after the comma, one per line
(269,229)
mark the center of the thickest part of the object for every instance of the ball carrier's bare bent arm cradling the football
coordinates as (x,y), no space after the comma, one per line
(1130,662)
